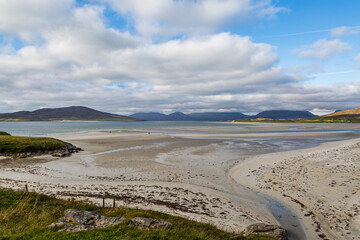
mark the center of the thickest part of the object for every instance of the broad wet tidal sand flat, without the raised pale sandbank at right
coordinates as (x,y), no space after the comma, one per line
(182,173)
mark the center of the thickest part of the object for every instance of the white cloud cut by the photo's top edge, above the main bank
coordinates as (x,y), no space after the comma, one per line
(164,18)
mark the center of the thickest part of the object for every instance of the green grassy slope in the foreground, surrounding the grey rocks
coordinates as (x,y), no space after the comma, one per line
(27,215)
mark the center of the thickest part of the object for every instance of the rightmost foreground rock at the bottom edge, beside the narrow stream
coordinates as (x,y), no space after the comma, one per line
(264,229)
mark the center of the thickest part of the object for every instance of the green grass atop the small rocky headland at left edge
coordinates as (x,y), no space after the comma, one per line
(10,145)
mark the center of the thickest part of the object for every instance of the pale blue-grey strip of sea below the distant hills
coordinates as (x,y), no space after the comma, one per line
(53,127)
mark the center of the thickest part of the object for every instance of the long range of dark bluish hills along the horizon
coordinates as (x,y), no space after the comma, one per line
(79,113)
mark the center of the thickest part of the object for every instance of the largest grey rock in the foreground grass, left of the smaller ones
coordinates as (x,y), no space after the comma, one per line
(85,220)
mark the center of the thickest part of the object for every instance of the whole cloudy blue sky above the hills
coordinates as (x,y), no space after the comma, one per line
(127,56)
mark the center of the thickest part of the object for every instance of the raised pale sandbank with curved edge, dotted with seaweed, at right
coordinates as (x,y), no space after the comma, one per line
(320,184)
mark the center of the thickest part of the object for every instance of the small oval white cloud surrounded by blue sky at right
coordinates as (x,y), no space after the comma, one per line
(322,49)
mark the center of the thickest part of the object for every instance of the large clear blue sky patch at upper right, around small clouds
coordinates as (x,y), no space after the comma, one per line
(304,23)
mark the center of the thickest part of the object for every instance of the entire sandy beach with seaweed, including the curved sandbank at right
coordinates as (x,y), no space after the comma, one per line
(216,176)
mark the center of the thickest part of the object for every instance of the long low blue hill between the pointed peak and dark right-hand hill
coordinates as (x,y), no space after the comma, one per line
(218,116)
